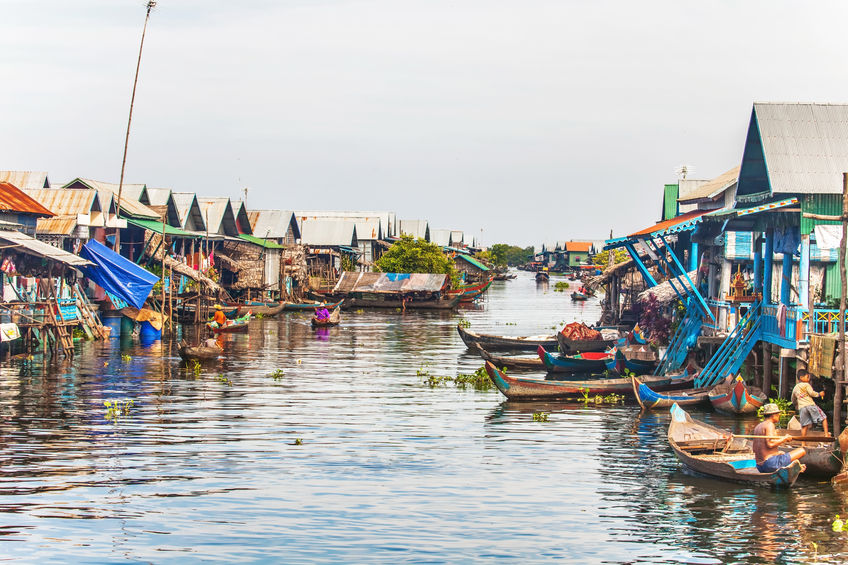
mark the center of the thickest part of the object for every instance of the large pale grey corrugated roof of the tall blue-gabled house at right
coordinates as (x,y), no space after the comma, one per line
(805,146)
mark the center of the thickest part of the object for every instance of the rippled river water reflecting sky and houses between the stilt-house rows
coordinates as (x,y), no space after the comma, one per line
(389,469)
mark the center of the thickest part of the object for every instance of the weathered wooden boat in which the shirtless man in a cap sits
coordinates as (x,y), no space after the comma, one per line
(716,453)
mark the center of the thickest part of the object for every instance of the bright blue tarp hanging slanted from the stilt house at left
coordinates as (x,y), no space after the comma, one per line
(116,274)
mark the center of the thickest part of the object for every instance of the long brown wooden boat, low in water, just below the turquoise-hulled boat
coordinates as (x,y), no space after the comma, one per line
(517,388)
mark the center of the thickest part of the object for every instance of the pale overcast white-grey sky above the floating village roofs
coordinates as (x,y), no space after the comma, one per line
(517,121)
